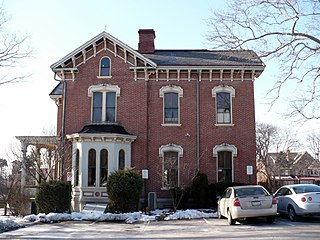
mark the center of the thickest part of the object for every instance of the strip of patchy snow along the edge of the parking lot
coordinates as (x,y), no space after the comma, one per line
(10,222)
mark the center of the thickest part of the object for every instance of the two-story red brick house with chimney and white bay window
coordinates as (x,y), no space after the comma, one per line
(172,112)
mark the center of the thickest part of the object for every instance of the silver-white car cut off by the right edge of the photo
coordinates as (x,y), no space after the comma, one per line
(298,200)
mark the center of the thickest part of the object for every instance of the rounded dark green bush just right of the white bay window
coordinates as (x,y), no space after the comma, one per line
(124,189)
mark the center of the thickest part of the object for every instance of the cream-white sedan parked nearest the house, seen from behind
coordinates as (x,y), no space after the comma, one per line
(242,202)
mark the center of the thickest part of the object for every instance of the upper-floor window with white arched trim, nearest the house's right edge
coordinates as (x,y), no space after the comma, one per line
(223,101)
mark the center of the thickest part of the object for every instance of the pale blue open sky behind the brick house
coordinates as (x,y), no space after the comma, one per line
(57,27)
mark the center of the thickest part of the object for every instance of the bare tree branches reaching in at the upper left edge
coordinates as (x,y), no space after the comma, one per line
(12,51)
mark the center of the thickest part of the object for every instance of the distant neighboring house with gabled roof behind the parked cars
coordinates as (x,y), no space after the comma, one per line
(290,167)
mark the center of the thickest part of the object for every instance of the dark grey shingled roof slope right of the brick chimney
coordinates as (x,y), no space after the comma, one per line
(205,58)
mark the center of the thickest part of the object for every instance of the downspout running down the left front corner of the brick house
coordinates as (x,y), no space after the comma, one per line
(61,159)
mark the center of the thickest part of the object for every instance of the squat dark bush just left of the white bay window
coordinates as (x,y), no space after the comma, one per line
(53,196)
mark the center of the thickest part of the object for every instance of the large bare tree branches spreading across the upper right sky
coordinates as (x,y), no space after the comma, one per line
(287,31)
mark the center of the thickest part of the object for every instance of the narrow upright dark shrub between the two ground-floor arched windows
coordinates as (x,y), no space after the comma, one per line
(200,190)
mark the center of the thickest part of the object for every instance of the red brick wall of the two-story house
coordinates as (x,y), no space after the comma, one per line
(140,112)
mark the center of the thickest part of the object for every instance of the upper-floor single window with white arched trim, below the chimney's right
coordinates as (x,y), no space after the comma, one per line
(171,103)
